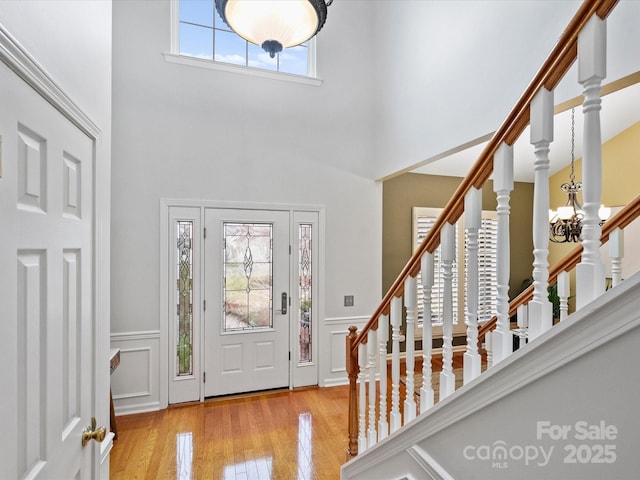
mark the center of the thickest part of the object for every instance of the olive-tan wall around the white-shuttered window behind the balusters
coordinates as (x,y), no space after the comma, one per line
(400,194)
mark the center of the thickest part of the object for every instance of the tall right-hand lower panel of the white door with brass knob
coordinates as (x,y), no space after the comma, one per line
(71,338)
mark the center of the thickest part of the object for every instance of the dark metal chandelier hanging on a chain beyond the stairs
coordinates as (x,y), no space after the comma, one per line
(565,224)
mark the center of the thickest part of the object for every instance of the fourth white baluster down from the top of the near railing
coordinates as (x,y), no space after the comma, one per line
(473,221)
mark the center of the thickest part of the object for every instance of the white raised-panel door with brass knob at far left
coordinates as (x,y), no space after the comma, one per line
(46,287)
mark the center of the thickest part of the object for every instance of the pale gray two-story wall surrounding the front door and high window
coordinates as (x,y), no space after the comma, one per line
(183,132)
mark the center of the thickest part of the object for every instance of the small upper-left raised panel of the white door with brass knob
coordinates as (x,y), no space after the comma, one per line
(32,170)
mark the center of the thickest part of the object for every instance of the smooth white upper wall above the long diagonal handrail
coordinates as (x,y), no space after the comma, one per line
(454,69)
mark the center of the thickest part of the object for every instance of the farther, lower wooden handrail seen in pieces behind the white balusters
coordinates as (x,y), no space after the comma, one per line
(622,219)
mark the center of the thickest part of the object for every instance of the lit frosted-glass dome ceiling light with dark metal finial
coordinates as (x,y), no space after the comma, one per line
(274,24)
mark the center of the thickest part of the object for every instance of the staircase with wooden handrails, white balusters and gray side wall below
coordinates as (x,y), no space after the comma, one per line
(555,407)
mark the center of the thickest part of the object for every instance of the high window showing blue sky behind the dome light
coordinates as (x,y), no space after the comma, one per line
(199,32)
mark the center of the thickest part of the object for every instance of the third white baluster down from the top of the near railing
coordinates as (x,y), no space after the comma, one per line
(503,186)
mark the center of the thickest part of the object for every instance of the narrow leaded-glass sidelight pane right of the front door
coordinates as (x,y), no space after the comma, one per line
(304,291)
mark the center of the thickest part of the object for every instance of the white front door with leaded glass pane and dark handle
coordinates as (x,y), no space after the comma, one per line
(247,306)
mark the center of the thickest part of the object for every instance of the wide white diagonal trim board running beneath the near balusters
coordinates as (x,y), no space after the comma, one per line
(581,333)
